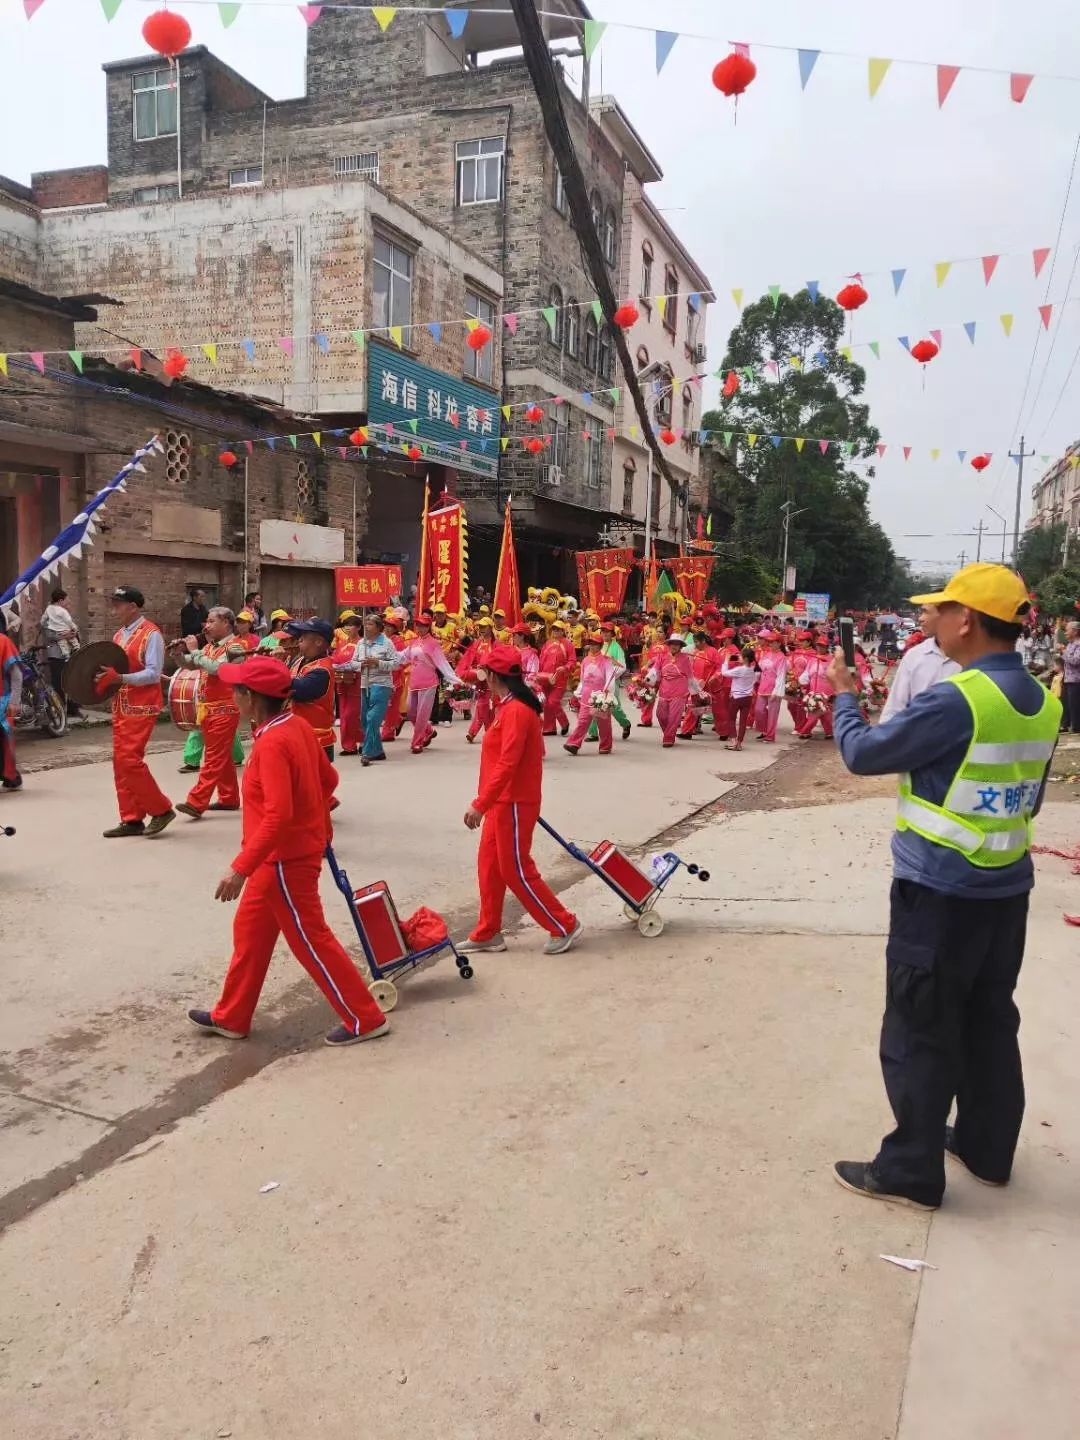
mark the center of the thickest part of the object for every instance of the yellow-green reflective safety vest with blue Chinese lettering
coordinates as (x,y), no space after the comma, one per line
(987,813)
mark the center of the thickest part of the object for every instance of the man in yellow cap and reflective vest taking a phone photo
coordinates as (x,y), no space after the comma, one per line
(973,754)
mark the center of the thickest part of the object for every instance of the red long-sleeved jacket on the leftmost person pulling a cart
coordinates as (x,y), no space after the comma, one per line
(287,788)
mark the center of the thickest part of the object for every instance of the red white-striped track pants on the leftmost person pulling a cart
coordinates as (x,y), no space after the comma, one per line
(282,899)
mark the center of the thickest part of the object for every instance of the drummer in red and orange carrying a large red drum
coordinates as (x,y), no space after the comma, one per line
(198,696)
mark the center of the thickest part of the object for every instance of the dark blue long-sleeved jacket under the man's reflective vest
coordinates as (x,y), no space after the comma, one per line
(931,739)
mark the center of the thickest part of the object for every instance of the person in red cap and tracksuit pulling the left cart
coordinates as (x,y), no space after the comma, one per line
(287,787)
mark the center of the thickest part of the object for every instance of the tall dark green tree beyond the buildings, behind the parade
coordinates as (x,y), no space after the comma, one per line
(797,385)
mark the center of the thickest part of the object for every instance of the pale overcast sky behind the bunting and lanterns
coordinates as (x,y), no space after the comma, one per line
(807,186)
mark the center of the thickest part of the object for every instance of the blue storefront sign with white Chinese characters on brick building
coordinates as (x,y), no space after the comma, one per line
(457,421)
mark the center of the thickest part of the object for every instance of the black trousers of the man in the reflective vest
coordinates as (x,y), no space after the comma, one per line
(950,1032)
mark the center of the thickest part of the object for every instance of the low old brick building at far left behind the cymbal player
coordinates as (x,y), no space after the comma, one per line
(280,522)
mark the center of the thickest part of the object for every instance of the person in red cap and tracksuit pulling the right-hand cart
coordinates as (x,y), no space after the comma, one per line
(508,806)
